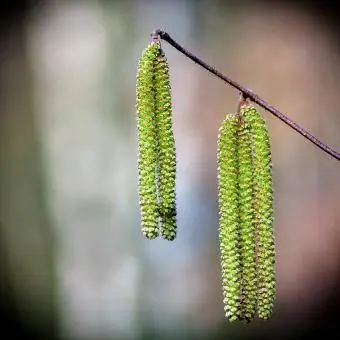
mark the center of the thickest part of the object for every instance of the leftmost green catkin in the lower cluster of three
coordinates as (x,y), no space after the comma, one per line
(229,217)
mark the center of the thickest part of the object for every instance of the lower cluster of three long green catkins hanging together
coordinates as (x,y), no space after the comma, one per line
(246,216)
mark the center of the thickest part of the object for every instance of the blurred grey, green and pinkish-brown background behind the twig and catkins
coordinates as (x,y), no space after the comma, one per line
(74,264)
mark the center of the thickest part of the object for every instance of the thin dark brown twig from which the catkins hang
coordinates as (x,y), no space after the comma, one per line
(249,94)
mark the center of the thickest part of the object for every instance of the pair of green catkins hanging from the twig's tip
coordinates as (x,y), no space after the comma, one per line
(156,145)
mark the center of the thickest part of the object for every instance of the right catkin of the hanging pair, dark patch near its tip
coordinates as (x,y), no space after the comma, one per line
(166,145)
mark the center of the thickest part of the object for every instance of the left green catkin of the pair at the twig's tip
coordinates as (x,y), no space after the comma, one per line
(147,142)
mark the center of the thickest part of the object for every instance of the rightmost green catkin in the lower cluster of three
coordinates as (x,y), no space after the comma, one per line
(263,211)
